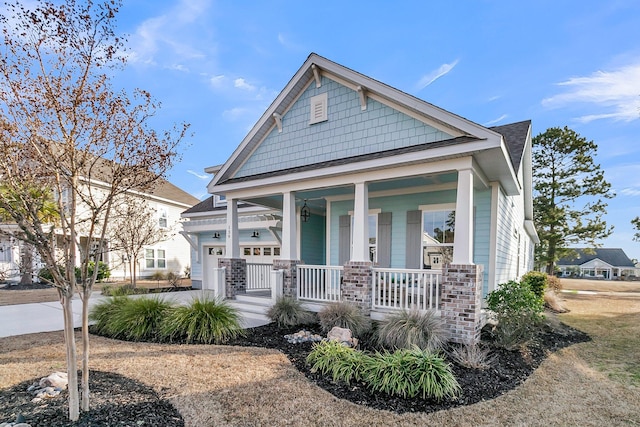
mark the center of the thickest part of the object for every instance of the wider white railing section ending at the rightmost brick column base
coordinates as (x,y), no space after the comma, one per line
(406,289)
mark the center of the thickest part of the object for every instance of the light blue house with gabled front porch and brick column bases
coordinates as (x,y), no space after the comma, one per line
(377,197)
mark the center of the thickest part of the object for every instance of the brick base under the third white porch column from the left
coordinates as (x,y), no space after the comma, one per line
(357,284)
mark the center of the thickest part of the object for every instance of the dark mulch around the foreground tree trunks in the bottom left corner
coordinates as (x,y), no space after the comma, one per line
(115,401)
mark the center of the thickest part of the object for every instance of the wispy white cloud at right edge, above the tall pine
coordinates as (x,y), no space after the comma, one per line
(614,92)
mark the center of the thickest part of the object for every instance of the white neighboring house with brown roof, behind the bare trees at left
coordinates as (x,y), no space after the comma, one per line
(172,255)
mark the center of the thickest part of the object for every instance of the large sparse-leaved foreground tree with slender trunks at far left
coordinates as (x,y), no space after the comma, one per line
(68,137)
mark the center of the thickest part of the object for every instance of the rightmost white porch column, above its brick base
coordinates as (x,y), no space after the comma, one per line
(463,240)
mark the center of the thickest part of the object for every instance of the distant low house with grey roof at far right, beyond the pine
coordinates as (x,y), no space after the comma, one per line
(603,263)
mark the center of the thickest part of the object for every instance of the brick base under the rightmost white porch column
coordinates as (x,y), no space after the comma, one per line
(462,302)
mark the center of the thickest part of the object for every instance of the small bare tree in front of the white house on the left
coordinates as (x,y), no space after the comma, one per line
(135,227)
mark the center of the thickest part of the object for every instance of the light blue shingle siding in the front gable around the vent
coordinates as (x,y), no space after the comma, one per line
(348,132)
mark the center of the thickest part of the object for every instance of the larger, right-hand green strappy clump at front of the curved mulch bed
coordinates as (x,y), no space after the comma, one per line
(411,373)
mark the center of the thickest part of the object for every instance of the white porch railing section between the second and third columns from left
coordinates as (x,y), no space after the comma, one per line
(319,282)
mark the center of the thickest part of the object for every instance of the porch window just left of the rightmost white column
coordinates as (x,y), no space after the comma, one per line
(438,230)
